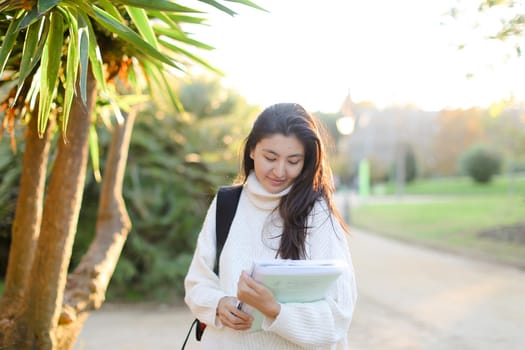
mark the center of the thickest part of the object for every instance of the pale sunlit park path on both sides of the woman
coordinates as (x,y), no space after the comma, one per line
(409,298)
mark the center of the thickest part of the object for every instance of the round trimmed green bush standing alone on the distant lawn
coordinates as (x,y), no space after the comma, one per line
(481,163)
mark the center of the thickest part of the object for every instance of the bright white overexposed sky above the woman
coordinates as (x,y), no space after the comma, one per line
(383,51)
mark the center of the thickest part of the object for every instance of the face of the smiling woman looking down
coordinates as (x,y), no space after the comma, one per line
(278,161)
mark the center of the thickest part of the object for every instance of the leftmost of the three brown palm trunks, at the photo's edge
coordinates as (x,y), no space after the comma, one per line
(26,225)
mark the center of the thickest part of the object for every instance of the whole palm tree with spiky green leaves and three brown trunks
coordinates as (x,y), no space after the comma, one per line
(57,59)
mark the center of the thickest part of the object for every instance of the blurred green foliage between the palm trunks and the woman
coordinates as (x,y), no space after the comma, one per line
(175,166)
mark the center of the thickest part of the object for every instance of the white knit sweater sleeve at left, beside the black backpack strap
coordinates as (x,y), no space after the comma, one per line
(202,287)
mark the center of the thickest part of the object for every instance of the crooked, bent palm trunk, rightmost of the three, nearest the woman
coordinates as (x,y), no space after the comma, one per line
(87,285)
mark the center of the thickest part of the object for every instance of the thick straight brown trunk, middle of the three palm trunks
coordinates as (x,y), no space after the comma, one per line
(42,303)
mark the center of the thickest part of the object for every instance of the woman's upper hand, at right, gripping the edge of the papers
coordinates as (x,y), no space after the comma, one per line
(257,295)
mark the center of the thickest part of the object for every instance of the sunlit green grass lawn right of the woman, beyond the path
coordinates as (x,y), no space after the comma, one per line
(453,218)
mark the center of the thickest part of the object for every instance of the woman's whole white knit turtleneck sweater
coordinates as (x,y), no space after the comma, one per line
(254,234)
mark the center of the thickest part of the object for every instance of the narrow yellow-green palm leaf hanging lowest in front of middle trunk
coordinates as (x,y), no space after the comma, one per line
(73,59)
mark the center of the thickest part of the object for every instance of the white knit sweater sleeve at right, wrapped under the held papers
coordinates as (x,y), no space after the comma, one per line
(326,321)
